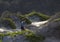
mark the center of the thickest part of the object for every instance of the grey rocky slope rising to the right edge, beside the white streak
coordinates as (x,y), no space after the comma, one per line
(51,28)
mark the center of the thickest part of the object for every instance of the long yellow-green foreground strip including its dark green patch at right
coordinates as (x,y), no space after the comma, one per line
(30,36)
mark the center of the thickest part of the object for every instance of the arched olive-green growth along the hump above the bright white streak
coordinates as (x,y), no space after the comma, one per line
(42,16)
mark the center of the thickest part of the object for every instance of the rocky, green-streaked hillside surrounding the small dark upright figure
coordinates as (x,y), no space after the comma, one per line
(45,29)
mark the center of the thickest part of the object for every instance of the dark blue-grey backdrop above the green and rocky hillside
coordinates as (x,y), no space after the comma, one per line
(48,7)
